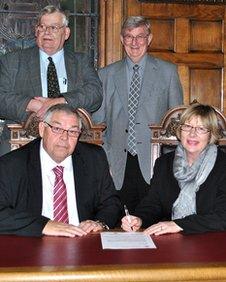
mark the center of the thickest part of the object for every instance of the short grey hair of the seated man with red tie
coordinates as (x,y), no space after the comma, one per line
(65,108)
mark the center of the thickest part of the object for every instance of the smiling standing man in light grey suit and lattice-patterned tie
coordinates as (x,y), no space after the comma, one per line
(138,90)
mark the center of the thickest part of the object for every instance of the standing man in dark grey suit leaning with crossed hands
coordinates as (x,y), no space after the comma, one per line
(23,74)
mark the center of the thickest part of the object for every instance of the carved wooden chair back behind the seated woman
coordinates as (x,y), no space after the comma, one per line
(163,135)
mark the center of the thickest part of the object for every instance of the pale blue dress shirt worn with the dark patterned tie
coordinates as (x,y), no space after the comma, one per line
(59,62)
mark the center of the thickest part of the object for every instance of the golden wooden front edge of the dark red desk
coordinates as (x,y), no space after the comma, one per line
(117,273)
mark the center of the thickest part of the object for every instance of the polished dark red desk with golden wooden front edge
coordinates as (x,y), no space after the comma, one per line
(177,258)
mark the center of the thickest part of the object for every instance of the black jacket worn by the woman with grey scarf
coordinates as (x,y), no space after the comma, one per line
(210,199)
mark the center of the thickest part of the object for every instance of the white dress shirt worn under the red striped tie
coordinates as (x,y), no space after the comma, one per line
(48,179)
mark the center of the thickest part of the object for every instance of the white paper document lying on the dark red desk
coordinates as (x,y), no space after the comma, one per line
(126,240)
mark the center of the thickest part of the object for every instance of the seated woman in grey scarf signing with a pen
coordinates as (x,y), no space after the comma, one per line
(188,188)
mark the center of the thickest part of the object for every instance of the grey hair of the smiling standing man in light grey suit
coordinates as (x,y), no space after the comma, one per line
(136,21)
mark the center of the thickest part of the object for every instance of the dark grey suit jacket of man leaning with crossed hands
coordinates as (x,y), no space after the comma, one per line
(20,80)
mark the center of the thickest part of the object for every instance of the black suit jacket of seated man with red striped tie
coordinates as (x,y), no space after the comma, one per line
(21,189)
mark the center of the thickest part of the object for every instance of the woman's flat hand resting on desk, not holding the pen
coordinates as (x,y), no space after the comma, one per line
(163,227)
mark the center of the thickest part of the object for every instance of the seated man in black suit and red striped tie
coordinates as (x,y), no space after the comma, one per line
(56,185)
